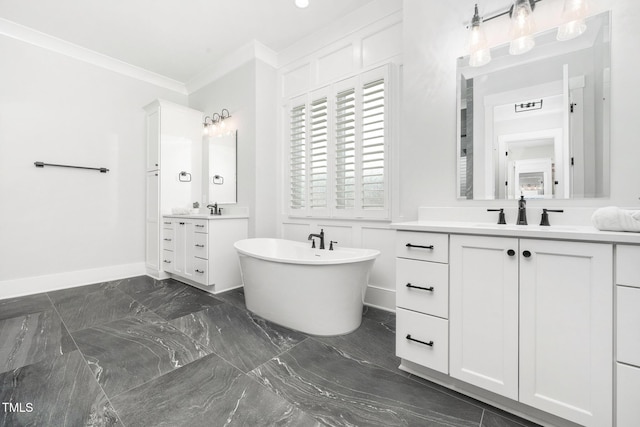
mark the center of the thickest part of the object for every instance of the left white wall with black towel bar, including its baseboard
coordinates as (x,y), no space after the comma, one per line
(63,227)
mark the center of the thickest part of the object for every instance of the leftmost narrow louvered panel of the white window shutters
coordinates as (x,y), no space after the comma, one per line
(298,158)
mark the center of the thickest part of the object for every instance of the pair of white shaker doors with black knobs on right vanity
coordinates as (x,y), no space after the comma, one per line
(532,320)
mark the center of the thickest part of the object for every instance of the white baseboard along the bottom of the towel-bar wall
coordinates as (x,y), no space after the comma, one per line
(51,282)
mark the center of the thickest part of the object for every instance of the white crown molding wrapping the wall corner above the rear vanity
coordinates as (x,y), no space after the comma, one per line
(246,53)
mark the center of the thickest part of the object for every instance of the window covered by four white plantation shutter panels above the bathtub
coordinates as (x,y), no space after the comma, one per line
(338,151)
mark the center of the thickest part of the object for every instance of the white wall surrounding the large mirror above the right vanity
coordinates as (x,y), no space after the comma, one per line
(434,36)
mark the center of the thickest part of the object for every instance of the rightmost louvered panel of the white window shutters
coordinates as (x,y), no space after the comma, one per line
(373,146)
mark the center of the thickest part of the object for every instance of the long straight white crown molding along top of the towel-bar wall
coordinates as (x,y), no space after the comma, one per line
(54,44)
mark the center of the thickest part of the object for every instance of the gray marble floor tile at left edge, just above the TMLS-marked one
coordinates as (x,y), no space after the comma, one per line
(32,338)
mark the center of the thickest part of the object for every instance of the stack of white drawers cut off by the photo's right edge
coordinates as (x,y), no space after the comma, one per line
(628,335)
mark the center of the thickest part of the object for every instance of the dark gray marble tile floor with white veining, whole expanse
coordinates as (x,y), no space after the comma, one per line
(142,352)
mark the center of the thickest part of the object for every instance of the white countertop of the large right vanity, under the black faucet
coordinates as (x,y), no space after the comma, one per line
(564,232)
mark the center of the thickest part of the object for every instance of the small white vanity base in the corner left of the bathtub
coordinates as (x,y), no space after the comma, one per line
(200,252)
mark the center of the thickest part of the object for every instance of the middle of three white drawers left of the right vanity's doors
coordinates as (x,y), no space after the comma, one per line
(423,286)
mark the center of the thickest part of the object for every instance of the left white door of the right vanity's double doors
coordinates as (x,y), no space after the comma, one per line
(483,316)
